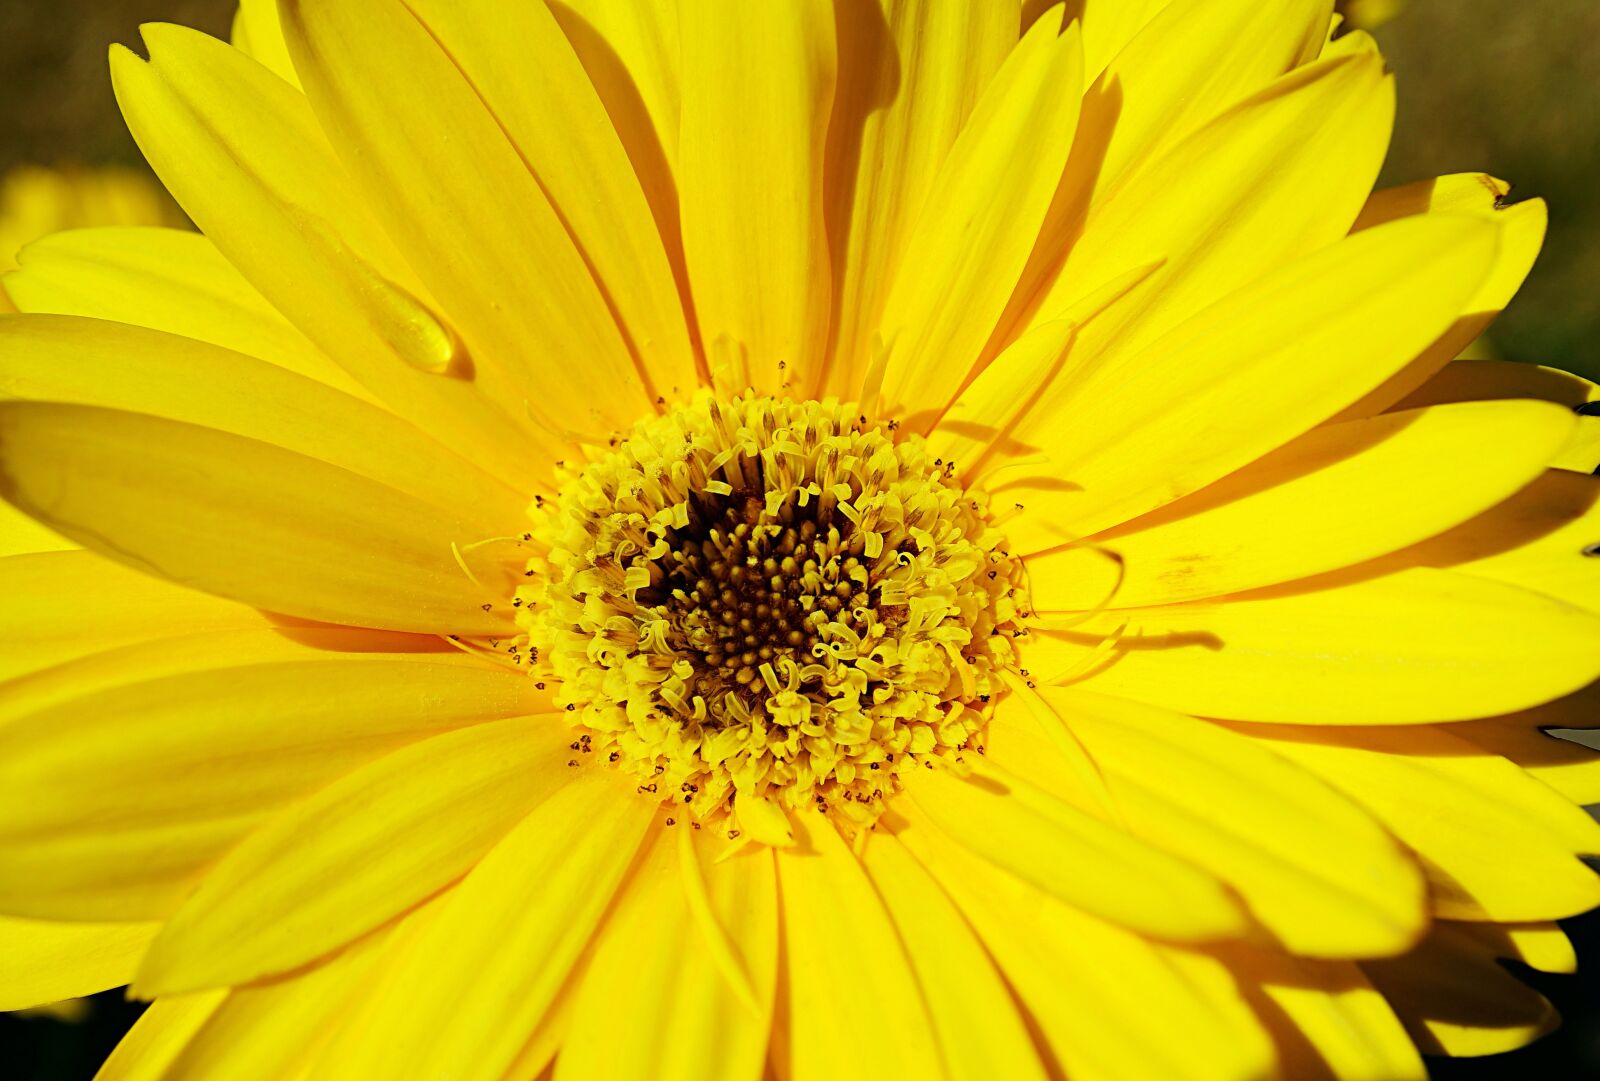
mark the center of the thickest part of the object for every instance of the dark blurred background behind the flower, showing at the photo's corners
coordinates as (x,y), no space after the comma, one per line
(1505,89)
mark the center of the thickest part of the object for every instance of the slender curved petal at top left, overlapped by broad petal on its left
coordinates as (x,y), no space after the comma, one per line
(534,84)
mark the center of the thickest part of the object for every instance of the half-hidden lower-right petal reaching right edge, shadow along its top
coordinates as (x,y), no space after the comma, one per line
(1508,848)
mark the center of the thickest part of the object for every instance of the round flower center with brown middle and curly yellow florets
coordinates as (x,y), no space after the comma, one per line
(767,602)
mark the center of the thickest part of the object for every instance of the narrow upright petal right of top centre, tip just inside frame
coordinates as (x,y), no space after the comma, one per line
(980,221)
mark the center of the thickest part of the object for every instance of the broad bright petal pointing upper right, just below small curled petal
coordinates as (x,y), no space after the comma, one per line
(1246,377)
